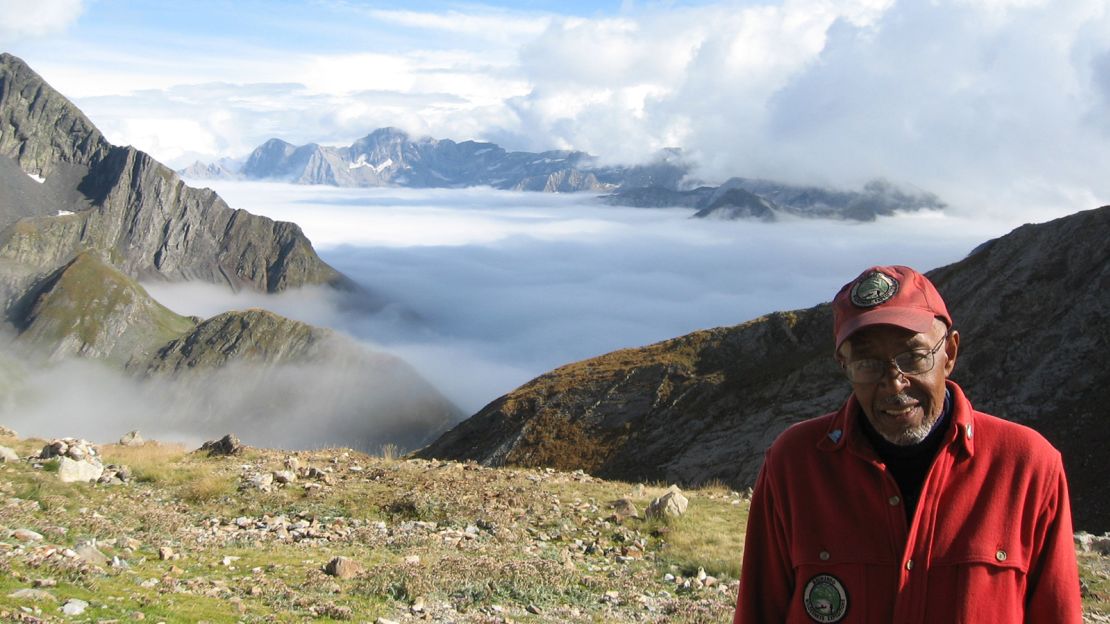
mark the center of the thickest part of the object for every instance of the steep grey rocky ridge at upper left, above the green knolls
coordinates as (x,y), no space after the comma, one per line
(127,205)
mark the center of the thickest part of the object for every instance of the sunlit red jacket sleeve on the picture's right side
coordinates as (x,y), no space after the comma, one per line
(1053,591)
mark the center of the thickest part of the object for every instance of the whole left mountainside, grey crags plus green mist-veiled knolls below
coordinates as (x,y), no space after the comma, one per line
(83,222)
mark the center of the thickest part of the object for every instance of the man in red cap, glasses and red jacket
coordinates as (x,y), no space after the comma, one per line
(907,506)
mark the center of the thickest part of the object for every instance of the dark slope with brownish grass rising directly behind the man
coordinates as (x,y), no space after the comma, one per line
(1032,309)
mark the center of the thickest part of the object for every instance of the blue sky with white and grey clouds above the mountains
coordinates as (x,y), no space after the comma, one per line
(997,106)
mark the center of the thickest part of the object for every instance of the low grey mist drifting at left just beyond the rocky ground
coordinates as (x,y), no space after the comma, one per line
(364,404)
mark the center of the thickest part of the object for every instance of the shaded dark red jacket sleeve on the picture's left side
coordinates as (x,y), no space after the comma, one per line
(766,575)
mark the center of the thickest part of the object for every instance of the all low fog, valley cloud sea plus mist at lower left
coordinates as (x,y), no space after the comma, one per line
(478,290)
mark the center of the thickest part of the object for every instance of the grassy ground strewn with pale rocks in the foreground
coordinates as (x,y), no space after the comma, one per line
(238,535)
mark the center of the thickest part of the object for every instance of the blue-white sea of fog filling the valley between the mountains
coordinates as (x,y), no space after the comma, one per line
(490,289)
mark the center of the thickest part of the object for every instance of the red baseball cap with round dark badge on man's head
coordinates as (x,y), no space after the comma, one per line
(887,296)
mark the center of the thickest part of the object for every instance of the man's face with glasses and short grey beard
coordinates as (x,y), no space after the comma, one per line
(902,408)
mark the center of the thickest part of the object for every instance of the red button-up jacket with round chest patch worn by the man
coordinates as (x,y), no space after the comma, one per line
(991,542)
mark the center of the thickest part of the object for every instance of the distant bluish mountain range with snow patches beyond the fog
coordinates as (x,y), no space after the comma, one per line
(389,157)
